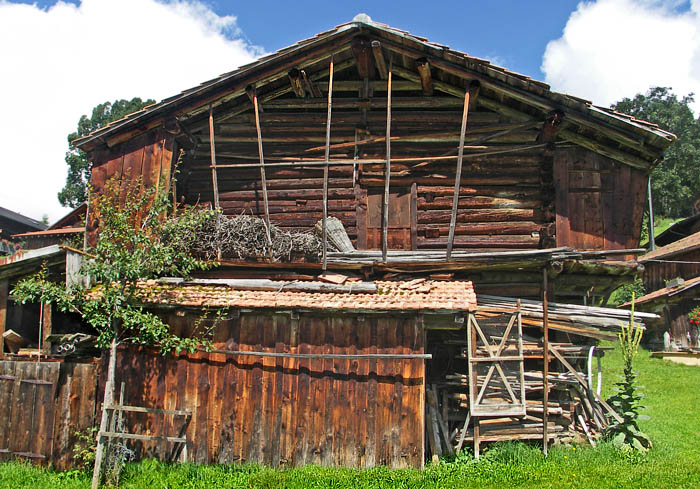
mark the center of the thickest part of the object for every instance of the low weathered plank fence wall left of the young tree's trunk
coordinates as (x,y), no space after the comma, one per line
(42,405)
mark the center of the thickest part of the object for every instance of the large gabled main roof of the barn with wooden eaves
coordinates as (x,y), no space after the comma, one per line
(621,137)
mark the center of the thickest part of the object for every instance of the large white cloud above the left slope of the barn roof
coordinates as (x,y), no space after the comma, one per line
(57,64)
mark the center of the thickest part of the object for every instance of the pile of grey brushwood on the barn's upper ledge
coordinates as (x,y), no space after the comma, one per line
(245,236)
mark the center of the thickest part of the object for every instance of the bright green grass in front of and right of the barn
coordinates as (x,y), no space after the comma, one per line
(673,399)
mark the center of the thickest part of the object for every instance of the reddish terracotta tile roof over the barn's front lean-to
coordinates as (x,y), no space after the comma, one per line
(429,295)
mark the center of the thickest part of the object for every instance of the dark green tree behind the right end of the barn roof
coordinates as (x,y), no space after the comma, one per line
(676,180)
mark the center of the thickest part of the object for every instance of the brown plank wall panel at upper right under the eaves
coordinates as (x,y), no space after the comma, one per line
(599,202)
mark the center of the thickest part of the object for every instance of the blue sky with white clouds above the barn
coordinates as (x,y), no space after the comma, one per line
(60,59)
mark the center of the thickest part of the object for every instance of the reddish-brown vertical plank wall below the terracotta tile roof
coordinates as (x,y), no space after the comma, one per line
(286,412)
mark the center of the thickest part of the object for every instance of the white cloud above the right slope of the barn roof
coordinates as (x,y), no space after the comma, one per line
(612,49)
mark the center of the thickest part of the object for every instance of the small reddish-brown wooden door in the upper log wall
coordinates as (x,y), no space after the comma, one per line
(399,236)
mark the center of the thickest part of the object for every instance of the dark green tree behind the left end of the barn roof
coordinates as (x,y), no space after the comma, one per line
(75,191)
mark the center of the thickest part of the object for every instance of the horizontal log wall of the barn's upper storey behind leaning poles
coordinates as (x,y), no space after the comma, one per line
(502,203)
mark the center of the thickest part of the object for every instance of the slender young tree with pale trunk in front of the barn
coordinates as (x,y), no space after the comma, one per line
(139,239)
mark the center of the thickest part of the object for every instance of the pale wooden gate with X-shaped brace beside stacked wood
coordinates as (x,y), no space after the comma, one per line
(496,373)
